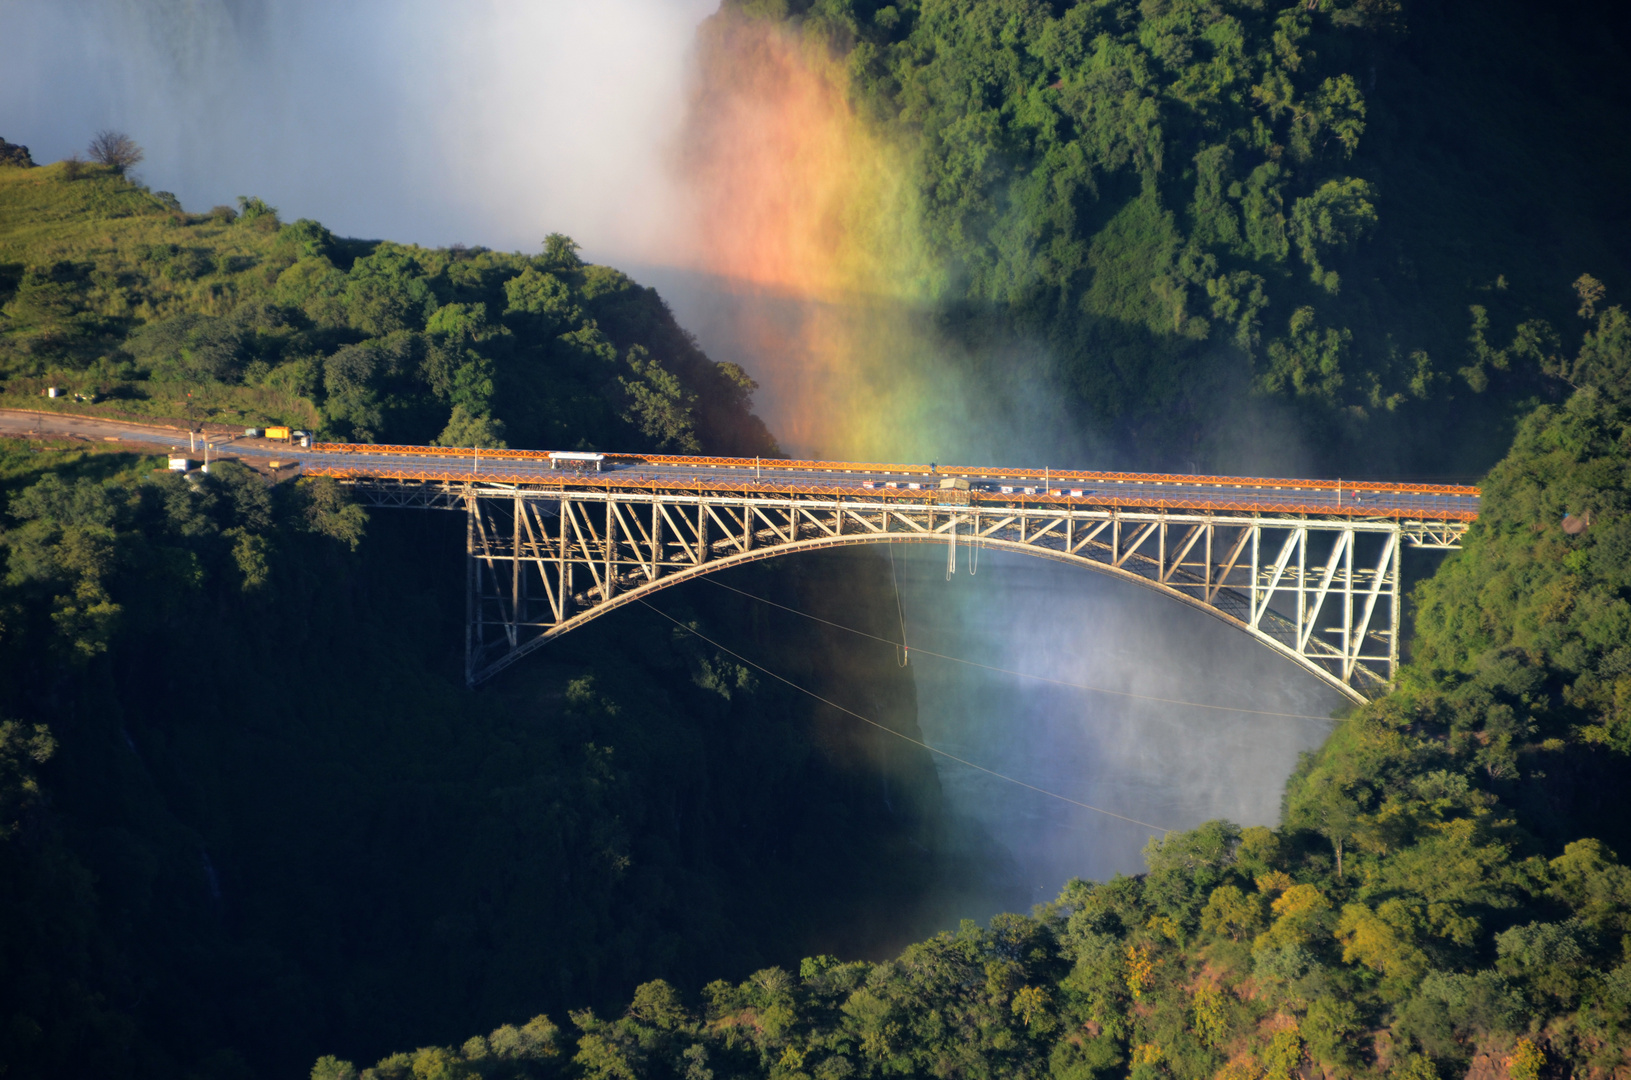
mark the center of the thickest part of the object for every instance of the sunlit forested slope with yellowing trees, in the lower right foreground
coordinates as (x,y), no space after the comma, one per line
(1441,893)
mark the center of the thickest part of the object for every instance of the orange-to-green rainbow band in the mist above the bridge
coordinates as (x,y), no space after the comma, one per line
(808,218)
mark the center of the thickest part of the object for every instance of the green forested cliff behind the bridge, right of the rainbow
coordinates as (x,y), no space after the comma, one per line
(1343,208)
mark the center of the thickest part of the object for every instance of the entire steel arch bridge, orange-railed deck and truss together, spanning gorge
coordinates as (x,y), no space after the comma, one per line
(1311,569)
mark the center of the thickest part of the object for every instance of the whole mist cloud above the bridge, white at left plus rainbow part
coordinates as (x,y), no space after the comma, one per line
(733,154)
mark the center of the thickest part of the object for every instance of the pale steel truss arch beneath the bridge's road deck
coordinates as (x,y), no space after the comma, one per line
(542,562)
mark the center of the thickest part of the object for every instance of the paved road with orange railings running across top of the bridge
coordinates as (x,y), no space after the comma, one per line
(865,480)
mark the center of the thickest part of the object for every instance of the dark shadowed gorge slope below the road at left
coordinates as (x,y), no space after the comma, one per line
(250,810)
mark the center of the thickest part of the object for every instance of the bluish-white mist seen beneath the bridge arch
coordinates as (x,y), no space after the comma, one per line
(1146,759)
